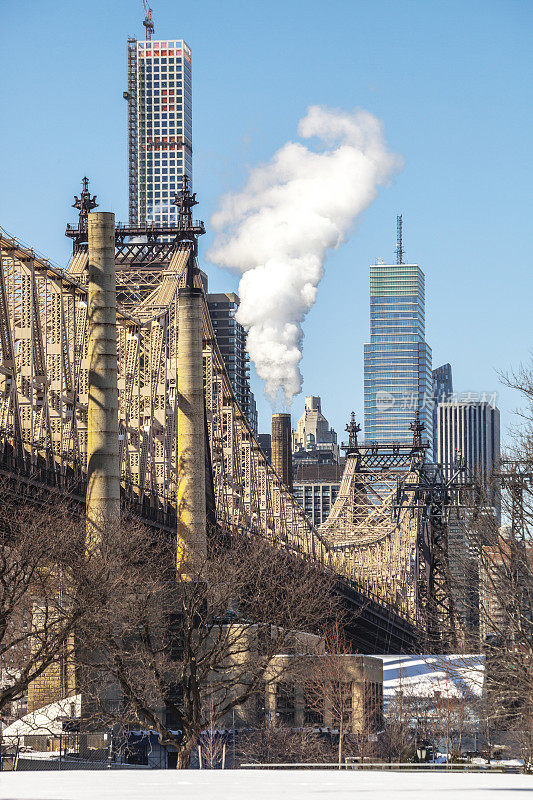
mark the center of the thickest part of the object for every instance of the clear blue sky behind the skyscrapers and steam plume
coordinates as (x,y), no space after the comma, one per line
(451,82)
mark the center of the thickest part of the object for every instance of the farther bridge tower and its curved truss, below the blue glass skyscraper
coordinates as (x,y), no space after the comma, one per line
(389,524)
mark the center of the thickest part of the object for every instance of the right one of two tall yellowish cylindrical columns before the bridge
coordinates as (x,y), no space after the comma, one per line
(192,533)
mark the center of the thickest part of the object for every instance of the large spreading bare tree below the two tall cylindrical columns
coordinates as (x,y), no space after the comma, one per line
(178,653)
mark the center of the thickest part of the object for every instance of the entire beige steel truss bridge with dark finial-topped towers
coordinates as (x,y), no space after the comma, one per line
(385,539)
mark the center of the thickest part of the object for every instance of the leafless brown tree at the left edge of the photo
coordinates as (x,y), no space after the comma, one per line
(48,583)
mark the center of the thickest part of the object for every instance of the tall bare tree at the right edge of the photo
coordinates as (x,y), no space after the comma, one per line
(499,559)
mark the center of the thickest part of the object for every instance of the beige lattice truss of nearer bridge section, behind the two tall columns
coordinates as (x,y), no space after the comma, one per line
(44,395)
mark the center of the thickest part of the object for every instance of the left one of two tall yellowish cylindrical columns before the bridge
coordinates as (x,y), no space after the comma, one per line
(103,468)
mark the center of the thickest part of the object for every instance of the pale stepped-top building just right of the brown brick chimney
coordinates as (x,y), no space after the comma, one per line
(313,441)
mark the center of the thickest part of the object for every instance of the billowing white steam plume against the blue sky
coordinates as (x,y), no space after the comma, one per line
(277,230)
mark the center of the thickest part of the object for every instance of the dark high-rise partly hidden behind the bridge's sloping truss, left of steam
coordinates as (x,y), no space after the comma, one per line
(231,340)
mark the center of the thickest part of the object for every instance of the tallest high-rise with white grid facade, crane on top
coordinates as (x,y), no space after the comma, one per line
(159,127)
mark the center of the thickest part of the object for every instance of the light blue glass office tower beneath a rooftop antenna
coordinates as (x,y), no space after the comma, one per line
(398,378)
